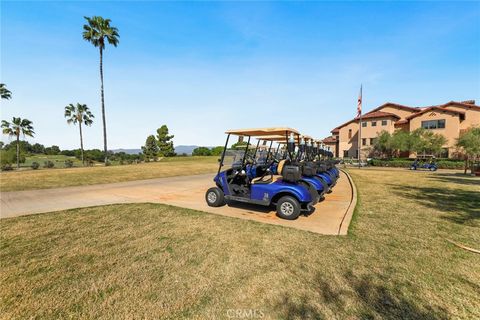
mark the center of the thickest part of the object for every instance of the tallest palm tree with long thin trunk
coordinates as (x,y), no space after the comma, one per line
(98,32)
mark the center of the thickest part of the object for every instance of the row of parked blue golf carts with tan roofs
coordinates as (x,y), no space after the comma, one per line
(276,166)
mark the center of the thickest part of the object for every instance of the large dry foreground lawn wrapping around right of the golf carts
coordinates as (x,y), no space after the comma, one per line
(153,261)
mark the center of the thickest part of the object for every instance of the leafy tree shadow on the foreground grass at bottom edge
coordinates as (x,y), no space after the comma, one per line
(370,300)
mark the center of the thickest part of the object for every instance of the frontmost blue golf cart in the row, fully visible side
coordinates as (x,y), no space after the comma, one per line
(286,189)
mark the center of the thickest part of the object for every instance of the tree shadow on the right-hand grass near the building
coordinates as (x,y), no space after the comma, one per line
(461,206)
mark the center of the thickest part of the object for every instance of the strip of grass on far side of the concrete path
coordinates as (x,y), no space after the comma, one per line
(53,178)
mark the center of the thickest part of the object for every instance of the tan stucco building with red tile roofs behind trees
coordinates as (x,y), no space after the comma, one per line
(449,119)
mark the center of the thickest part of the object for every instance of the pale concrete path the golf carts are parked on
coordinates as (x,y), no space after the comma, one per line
(331,216)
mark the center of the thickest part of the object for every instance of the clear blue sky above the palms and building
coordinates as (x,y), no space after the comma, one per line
(204,67)
